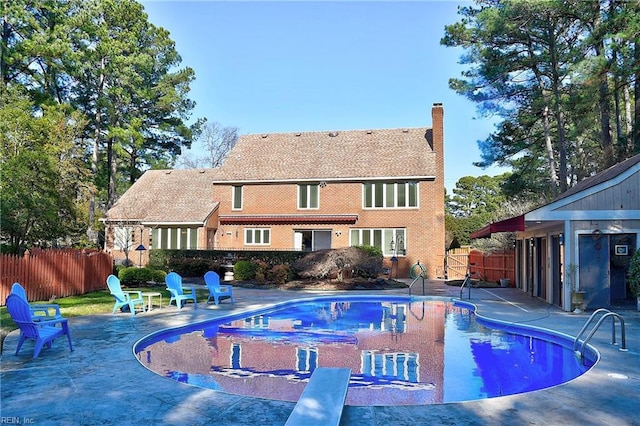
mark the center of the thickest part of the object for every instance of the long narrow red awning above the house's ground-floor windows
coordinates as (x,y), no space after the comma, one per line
(314,219)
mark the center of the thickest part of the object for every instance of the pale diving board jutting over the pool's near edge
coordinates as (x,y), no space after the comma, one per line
(322,400)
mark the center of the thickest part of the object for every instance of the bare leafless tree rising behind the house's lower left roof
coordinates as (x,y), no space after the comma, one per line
(217,142)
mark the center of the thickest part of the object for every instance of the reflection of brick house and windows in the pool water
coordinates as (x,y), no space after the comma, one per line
(394,350)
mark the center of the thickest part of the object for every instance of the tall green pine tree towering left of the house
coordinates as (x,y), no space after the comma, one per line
(106,60)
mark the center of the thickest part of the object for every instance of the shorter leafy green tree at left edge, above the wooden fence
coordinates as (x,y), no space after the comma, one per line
(41,187)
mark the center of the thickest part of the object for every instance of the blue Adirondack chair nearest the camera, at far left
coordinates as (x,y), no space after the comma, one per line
(44,332)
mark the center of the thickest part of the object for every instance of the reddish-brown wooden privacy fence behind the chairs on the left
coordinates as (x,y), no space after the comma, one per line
(60,273)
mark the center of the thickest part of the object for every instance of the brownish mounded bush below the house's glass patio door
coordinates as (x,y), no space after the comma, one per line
(364,261)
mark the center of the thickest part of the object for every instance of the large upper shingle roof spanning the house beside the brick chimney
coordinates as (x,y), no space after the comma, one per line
(350,154)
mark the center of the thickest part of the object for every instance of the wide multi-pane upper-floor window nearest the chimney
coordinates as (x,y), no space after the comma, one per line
(390,195)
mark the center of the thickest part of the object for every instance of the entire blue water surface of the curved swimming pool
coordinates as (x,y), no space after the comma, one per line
(401,351)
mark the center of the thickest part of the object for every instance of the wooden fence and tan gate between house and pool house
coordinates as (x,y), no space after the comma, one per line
(489,267)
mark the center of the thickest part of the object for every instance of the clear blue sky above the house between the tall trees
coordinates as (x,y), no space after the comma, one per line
(267,67)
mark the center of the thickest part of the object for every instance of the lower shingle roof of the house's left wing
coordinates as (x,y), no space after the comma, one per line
(168,196)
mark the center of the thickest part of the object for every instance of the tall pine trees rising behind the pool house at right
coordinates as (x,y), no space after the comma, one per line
(541,67)
